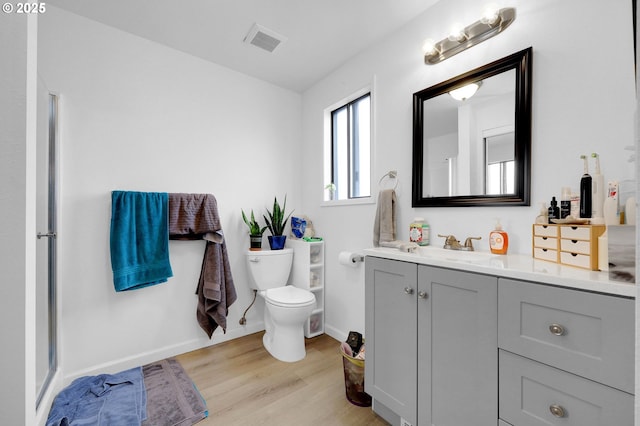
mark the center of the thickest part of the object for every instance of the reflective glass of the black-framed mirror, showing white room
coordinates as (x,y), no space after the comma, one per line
(457,131)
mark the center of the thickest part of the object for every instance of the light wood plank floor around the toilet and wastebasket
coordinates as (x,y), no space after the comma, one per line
(244,385)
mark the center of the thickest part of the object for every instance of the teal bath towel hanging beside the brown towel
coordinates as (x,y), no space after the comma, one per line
(139,239)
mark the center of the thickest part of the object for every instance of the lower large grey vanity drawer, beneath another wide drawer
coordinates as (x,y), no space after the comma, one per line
(533,394)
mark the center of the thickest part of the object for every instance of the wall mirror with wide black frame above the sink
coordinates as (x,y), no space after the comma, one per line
(475,151)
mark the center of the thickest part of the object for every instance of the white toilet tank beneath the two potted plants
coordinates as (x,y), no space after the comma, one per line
(269,268)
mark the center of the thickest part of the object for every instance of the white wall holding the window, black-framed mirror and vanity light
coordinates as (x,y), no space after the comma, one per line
(583,102)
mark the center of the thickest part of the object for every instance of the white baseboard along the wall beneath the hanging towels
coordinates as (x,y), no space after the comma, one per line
(136,360)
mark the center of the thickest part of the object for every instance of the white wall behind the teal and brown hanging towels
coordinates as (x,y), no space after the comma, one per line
(139,116)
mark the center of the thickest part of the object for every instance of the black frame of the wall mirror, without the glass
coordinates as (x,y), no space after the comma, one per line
(521,62)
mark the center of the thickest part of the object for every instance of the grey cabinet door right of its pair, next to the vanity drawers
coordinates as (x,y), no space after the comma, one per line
(457,348)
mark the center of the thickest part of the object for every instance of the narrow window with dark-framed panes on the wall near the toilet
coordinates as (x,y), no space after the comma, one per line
(350,175)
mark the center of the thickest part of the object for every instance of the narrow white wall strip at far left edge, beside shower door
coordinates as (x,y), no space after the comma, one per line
(18,81)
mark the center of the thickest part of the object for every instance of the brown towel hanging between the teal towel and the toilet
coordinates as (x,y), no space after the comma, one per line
(194,217)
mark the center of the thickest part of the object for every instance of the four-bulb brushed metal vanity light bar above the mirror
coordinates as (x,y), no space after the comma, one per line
(493,22)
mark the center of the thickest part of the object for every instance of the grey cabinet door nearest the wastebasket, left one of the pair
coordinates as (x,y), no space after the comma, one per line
(390,333)
